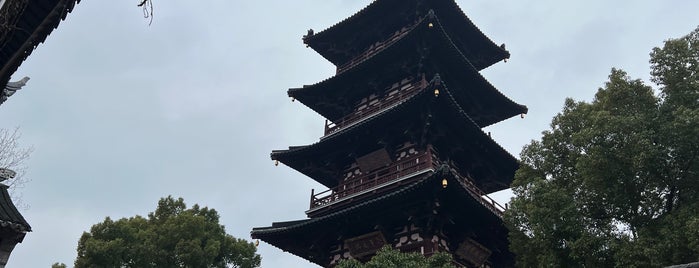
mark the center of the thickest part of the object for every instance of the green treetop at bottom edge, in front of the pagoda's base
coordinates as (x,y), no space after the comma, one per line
(390,258)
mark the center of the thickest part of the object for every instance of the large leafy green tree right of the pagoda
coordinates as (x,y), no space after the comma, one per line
(614,182)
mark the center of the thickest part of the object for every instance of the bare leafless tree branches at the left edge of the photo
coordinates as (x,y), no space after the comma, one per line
(13,156)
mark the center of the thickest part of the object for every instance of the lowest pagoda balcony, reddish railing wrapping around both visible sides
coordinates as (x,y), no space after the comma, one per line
(390,177)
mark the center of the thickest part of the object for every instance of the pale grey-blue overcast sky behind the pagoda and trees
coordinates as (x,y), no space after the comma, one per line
(121,113)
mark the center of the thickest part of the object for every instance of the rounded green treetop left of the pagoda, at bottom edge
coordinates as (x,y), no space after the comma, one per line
(171,236)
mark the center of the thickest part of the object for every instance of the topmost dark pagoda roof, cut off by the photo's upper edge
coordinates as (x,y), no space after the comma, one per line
(371,26)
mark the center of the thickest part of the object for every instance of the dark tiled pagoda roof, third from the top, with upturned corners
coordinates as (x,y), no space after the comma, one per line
(494,167)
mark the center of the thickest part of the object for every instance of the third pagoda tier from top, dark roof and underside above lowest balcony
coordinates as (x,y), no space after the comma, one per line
(416,119)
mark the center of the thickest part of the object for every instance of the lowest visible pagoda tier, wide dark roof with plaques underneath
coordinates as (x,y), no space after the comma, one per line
(423,216)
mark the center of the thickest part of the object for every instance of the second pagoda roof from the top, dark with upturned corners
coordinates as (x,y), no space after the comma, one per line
(429,51)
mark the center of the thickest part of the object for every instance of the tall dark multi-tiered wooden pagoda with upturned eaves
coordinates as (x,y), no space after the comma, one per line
(403,154)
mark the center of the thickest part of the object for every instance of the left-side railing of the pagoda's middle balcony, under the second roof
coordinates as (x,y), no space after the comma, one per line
(394,95)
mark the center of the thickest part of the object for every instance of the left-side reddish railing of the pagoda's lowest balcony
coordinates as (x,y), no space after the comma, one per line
(380,180)
